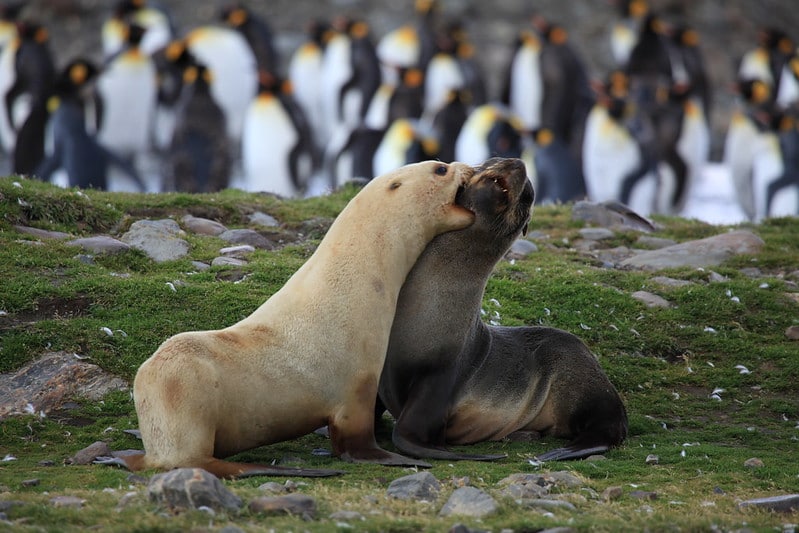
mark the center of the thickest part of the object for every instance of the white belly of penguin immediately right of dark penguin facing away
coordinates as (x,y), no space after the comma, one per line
(267,139)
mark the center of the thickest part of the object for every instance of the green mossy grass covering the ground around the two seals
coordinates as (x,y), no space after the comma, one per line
(664,362)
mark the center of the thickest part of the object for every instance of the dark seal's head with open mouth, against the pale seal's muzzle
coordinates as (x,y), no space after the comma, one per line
(501,196)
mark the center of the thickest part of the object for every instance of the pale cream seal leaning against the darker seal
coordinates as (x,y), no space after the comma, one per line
(312,353)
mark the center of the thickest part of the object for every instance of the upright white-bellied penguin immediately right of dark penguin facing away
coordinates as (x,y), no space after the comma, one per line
(276,122)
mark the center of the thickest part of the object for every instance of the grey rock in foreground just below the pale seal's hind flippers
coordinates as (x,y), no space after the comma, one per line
(192,488)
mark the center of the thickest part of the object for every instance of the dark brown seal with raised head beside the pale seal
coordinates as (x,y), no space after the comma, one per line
(451,379)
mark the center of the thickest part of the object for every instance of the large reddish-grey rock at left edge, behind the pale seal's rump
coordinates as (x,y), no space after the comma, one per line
(50,381)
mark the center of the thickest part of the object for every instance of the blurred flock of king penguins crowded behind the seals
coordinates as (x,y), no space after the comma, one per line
(219,105)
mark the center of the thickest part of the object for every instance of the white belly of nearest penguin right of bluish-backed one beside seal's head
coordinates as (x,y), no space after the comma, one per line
(609,154)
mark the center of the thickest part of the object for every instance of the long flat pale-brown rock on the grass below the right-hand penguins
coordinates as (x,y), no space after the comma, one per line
(704,252)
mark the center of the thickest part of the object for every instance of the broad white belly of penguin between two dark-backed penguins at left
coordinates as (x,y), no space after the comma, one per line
(128,89)
